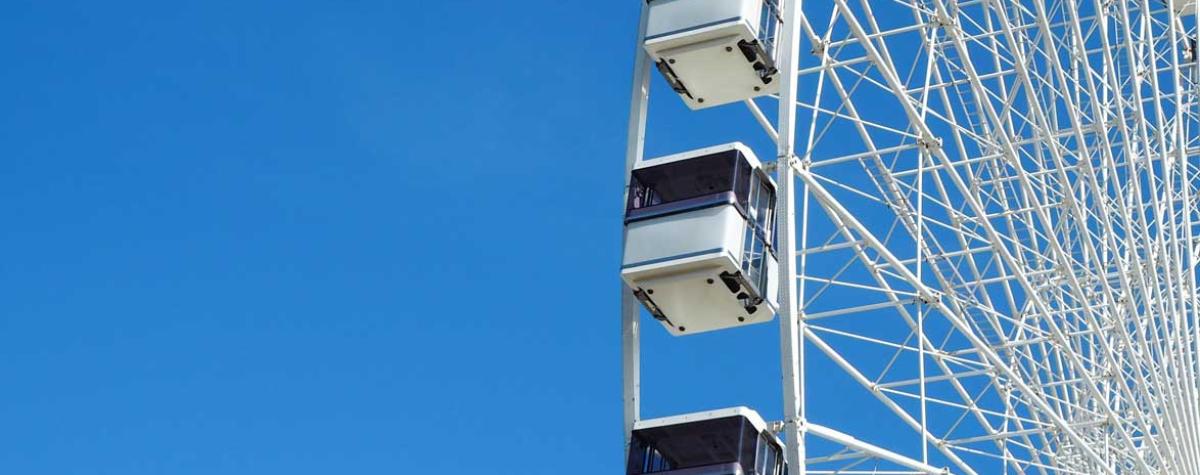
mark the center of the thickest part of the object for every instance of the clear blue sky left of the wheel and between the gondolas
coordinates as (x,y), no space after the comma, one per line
(343,237)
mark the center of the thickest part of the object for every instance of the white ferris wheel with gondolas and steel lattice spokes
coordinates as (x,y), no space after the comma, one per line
(983,213)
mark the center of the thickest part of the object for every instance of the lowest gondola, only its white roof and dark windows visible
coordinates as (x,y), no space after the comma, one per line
(727,442)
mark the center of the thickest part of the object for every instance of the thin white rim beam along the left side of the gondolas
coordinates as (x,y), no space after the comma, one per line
(635,141)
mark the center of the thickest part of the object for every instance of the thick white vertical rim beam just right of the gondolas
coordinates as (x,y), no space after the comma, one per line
(791,347)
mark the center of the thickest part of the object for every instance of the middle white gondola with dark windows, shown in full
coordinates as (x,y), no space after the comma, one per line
(700,250)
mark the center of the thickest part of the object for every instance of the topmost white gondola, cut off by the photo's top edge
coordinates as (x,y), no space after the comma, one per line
(715,52)
